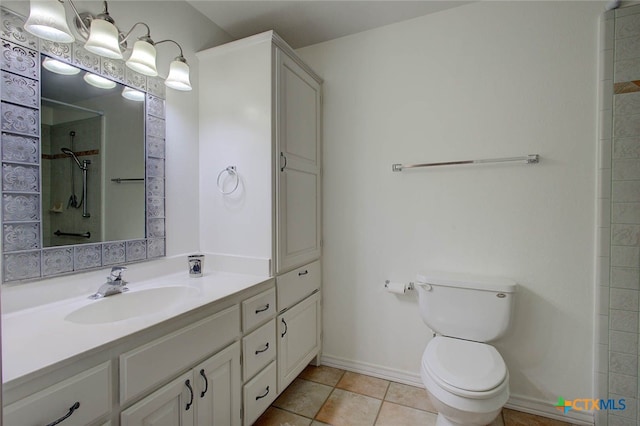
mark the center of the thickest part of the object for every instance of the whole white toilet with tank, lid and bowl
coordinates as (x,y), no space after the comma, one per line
(466,378)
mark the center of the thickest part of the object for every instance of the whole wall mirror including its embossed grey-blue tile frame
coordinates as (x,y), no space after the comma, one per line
(56,136)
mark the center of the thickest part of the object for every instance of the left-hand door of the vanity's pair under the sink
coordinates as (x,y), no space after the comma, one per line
(171,405)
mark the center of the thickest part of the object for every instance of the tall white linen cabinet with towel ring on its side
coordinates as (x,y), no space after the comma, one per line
(260,181)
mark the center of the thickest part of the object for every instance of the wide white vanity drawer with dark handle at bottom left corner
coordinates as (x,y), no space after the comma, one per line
(91,389)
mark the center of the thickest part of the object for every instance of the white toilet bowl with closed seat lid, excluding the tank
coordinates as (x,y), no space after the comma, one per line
(467,382)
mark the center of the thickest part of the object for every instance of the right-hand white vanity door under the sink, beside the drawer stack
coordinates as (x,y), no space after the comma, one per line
(217,388)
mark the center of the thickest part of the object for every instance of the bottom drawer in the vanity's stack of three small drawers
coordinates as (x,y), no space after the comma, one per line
(259,393)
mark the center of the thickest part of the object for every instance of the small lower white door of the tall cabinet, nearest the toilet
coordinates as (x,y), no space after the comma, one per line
(298,339)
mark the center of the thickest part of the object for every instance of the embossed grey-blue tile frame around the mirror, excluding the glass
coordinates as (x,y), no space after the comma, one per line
(23,257)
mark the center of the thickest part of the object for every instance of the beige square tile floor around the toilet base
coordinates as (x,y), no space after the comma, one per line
(330,396)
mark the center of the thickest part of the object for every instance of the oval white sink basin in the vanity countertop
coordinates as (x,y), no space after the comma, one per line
(131,305)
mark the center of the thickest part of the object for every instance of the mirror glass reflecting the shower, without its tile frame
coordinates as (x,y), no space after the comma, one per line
(92,148)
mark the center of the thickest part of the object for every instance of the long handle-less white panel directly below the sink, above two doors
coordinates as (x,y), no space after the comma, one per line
(157,361)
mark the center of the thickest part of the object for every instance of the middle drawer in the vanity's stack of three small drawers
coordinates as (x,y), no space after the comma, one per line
(258,349)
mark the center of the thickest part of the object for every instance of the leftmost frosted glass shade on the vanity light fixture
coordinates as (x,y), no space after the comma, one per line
(47,20)
